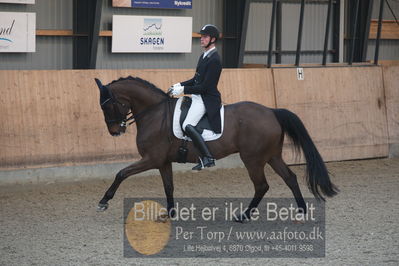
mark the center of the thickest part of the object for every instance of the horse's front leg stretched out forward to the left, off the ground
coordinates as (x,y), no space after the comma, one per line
(135,168)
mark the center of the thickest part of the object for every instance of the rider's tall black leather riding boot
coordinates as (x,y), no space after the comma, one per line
(206,159)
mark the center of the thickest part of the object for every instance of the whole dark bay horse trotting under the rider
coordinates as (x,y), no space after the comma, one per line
(253,130)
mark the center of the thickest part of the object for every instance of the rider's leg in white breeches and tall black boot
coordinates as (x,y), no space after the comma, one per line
(194,115)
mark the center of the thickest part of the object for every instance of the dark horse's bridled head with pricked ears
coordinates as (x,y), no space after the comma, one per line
(115,110)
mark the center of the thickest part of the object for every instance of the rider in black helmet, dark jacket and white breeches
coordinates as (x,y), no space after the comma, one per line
(204,94)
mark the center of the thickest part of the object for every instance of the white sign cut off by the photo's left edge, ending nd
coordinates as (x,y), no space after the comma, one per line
(17,32)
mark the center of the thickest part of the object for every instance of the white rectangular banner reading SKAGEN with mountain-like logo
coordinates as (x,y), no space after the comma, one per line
(142,34)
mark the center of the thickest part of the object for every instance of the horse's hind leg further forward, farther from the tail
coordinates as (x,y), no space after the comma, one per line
(256,173)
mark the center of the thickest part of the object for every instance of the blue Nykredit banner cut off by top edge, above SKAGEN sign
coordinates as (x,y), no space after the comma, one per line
(173,4)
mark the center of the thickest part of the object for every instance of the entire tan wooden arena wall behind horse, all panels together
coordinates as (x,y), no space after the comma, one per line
(52,118)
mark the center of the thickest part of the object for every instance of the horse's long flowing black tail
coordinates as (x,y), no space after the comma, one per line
(317,177)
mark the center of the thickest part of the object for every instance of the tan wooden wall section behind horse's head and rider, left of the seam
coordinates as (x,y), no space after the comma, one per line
(53,117)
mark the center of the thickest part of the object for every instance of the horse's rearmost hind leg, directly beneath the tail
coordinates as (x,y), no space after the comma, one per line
(289,178)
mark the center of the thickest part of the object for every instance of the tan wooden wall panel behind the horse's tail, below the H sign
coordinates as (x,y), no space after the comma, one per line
(342,108)
